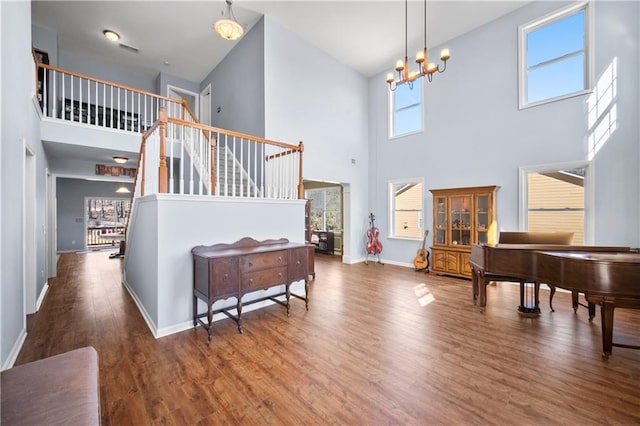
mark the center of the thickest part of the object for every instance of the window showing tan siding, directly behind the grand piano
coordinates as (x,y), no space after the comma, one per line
(557,198)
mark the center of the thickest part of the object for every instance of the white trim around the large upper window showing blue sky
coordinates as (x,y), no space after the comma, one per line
(548,19)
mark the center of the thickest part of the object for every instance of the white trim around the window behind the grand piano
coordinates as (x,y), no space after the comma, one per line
(589,193)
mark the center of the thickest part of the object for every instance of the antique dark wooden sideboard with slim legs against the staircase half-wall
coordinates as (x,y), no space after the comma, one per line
(222,271)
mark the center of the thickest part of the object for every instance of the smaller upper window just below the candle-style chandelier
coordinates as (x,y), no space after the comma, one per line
(405,110)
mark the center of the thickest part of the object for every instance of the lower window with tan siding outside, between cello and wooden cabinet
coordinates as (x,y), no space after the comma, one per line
(405,205)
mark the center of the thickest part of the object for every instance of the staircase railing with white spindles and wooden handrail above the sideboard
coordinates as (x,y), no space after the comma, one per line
(185,157)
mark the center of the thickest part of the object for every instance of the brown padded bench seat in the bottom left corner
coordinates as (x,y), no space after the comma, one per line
(60,390)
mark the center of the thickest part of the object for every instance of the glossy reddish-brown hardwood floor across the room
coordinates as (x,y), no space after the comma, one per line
(367,351)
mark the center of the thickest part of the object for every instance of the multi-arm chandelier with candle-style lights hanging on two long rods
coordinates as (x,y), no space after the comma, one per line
(425,68)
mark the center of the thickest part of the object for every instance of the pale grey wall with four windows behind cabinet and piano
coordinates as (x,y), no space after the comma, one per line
(475,134)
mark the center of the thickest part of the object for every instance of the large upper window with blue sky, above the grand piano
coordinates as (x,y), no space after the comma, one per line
(554,56)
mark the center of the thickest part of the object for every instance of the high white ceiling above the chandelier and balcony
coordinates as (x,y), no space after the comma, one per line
(177,36)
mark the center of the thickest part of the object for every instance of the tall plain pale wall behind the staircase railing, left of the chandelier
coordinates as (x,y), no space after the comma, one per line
(311,97)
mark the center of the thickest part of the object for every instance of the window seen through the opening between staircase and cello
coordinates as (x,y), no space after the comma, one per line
(326,208)
